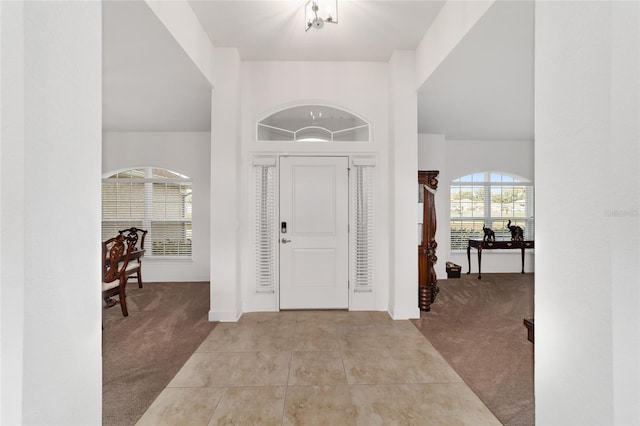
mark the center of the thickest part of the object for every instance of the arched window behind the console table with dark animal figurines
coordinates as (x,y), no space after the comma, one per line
(489,199)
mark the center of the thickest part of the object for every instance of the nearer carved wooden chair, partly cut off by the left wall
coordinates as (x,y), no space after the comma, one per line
(115,257)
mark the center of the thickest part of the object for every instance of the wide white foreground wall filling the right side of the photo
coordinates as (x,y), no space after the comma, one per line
(587,108)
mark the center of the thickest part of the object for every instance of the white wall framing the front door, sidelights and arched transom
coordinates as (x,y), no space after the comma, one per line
(362,88)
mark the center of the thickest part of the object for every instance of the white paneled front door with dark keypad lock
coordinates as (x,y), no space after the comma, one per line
(314,242)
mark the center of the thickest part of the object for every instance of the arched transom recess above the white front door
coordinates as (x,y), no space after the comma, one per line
(313,123)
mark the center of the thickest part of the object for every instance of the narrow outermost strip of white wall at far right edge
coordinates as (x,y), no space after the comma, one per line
(624,211)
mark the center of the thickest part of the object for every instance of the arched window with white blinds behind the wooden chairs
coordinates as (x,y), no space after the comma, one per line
(155,199)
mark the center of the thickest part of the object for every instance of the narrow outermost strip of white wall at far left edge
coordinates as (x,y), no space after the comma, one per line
(11,212)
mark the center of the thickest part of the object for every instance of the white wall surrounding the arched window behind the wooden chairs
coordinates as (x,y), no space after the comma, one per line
(187,153)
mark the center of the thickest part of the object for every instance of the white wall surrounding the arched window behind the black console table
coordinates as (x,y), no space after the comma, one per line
(455,158)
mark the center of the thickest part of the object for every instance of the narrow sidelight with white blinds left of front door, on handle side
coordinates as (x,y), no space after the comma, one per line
(265,225)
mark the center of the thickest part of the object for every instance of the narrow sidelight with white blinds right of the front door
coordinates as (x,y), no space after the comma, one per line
(363,238)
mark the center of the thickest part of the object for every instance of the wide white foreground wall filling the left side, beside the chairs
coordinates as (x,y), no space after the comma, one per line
(51,174)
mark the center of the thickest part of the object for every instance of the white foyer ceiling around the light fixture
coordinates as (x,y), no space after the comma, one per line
(274,30)
